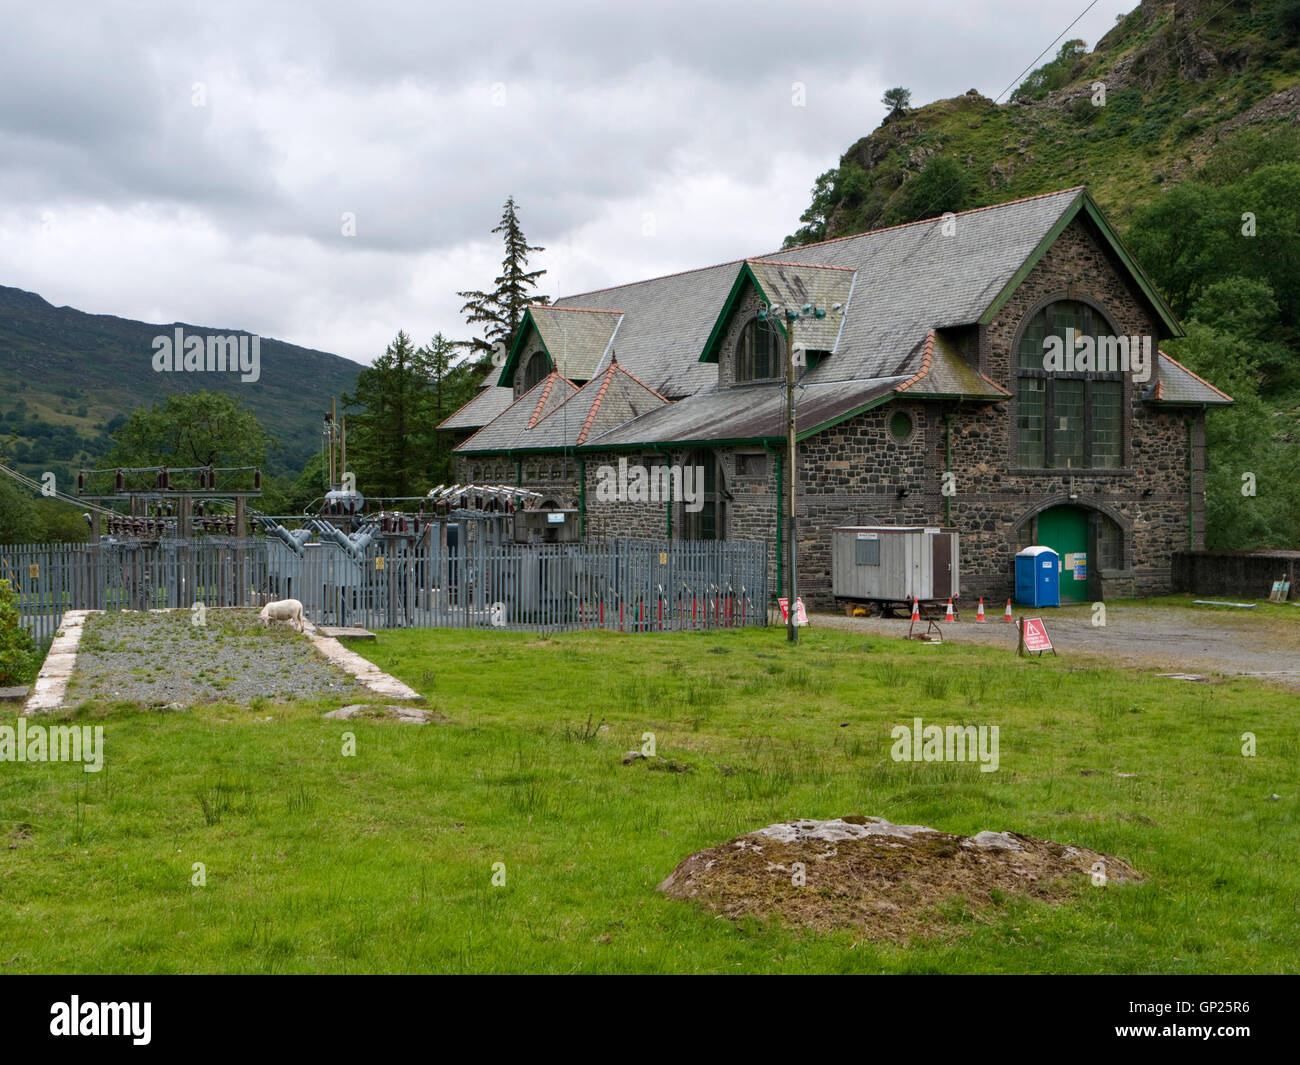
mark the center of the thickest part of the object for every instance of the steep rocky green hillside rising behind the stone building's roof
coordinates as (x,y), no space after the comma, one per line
(1178,79)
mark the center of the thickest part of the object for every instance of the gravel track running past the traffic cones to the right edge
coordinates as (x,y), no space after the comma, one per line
(1164,639)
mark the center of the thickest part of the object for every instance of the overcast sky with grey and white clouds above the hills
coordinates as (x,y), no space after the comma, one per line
(194,162)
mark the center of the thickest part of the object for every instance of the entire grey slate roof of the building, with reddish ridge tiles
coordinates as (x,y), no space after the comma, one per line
(900,289)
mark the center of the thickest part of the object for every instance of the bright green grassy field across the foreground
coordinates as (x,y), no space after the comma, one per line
(384,861)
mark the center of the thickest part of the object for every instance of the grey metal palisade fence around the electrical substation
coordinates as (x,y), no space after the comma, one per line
(629,586)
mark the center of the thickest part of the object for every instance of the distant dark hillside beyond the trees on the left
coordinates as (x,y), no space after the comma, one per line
(71,378)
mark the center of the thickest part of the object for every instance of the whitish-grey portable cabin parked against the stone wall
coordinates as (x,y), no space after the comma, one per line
(895,564)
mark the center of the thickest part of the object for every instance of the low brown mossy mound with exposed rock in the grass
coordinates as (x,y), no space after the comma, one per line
(890,881)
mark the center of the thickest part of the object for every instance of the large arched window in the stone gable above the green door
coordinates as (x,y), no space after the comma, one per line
(1067,418)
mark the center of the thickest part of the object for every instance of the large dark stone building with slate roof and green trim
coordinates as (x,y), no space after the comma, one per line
(931,393)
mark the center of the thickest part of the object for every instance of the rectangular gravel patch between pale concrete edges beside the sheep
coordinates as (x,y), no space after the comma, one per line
(161,659)
